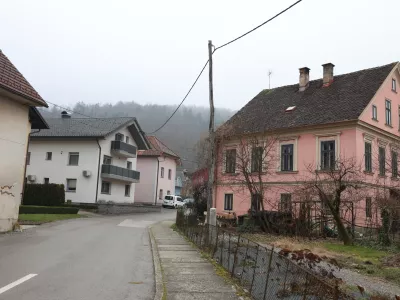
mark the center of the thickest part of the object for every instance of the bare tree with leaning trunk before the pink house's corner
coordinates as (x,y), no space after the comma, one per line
(344,182)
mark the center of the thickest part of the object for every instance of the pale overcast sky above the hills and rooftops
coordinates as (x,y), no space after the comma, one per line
(151,51)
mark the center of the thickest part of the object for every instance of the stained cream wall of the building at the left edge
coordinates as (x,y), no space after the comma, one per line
(14,131)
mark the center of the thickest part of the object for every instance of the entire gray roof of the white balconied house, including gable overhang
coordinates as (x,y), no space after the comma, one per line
(91,128)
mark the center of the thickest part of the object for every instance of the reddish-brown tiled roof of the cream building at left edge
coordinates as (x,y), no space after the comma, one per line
(12,80)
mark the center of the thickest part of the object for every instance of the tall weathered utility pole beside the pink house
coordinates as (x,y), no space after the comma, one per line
(211,135)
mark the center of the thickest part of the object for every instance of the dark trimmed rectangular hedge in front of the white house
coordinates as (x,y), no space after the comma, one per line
(44,194)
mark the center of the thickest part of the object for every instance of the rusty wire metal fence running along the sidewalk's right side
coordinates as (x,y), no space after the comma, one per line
(263,272)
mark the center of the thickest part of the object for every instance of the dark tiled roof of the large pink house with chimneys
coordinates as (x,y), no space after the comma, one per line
(344,99)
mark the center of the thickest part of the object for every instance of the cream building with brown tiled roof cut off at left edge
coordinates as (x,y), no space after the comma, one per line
(18,115)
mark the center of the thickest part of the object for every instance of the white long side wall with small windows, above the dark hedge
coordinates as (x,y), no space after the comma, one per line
(57,169)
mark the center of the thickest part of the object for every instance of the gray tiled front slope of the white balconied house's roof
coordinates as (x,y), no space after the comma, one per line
(82,127)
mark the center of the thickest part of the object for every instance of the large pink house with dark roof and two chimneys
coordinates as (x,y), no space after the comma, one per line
(315,124)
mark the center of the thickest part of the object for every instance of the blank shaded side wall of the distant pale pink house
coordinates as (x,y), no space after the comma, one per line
(145,190)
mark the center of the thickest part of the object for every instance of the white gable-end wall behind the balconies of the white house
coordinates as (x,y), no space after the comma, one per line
(117,187)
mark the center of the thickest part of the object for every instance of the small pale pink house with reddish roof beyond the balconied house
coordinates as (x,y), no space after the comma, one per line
(157,167)
